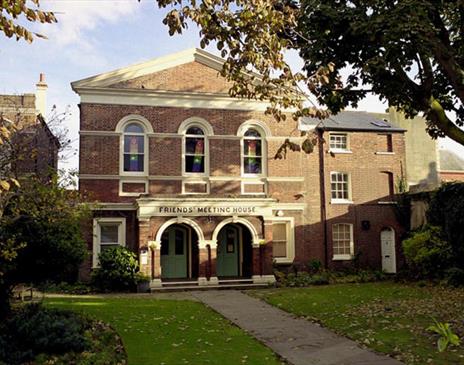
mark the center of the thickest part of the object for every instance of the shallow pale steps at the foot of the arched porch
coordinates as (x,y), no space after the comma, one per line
(172,286)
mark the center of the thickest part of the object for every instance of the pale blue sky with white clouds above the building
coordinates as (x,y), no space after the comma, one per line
(96,36)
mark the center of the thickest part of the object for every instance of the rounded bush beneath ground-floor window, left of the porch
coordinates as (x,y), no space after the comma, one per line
(118,271)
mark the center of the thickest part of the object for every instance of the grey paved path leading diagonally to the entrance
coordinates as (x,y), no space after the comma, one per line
(297,340)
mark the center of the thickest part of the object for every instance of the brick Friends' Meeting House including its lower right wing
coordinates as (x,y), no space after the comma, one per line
(186,177)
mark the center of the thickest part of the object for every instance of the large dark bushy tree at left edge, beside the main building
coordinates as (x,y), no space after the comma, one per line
(42,223)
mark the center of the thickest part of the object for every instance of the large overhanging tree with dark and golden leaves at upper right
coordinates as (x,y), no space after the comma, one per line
(408,52)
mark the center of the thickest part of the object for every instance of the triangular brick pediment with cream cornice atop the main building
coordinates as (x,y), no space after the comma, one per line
(193,70)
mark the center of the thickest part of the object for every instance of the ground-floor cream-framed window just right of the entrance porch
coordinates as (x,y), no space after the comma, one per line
(283,249)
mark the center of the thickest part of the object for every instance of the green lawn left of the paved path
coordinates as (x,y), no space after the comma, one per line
(171,332)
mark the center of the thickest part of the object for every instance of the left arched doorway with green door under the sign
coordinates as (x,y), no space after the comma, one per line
(179,252)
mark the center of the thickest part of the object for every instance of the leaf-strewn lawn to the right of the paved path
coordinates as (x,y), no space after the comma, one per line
(387,317)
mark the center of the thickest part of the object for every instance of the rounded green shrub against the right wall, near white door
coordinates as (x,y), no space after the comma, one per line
(427,253)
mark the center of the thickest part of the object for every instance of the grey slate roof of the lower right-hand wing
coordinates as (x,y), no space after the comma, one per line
(350,121)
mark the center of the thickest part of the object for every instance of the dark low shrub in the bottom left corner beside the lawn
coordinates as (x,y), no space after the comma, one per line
(33,329)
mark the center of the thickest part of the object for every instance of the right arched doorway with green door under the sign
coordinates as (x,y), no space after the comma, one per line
(234,251)
